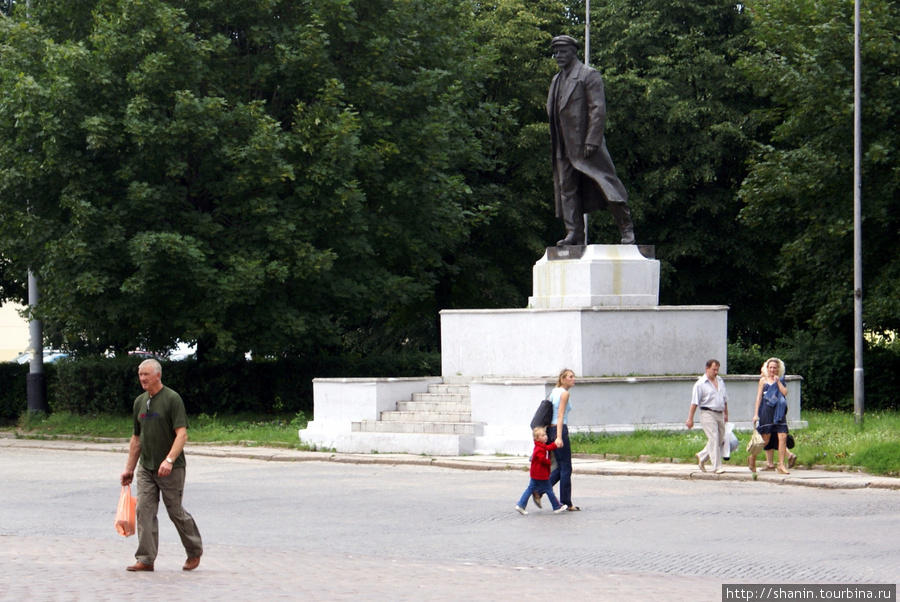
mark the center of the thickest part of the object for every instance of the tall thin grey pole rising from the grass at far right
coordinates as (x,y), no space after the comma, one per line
(858,388)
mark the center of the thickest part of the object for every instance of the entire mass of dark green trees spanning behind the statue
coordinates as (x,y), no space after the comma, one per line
(322,178)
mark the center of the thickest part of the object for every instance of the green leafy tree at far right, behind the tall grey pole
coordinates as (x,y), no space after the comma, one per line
(800,185)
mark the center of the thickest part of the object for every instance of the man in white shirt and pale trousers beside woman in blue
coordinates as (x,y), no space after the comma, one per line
(710,396)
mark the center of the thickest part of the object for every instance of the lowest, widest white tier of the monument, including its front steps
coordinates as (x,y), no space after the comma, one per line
(501,409)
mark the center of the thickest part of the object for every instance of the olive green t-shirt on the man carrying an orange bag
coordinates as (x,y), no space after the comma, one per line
(155,421)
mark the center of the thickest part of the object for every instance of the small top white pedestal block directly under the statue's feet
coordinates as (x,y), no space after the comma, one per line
(595,276)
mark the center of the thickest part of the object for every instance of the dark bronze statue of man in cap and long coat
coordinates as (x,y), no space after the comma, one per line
(584,177)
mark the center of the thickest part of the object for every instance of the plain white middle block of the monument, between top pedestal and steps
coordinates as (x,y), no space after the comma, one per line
(595,341)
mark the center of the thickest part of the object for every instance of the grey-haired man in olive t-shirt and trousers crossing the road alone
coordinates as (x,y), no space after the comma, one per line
(160,432)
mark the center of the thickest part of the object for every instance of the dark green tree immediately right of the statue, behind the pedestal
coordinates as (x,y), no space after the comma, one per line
(680,132)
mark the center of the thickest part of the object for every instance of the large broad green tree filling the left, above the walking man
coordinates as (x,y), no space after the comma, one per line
(260,176)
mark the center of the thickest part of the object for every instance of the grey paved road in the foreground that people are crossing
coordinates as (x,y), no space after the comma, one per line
(328,531)
